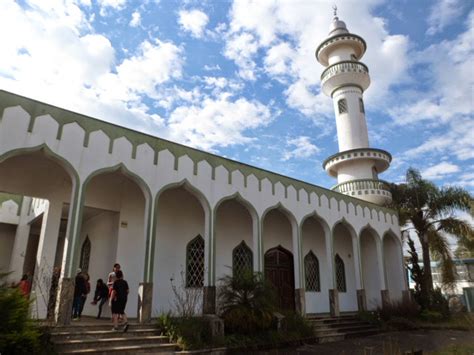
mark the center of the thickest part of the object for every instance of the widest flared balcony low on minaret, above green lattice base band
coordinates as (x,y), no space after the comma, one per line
(380,158)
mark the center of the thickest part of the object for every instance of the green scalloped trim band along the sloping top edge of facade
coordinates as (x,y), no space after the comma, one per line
(89,124)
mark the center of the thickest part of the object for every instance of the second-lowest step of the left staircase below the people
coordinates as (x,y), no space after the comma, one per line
(78,344)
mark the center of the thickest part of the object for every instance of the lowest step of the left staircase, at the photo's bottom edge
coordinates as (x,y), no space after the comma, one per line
(126,349)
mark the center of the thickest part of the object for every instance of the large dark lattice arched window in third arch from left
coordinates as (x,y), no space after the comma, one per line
(195,262)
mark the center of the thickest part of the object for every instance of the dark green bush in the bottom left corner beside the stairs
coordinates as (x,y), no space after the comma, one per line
(18,333)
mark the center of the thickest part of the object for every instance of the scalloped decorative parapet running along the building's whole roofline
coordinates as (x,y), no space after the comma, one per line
(157,145)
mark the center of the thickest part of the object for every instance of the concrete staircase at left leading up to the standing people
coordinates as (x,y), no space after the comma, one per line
(99,338)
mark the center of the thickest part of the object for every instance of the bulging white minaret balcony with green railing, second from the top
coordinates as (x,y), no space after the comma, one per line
(345,73)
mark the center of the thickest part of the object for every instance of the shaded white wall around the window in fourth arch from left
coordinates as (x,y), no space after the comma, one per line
(233,225)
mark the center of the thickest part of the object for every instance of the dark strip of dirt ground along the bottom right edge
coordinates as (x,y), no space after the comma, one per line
(398,342)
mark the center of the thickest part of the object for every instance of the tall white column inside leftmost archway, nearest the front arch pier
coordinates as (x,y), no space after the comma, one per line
(45,257)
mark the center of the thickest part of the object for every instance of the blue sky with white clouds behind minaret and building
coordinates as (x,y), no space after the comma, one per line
(239,78)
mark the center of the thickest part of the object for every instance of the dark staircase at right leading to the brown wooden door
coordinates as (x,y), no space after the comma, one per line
(329,329)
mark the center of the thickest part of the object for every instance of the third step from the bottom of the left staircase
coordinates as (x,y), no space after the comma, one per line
(92,334)
